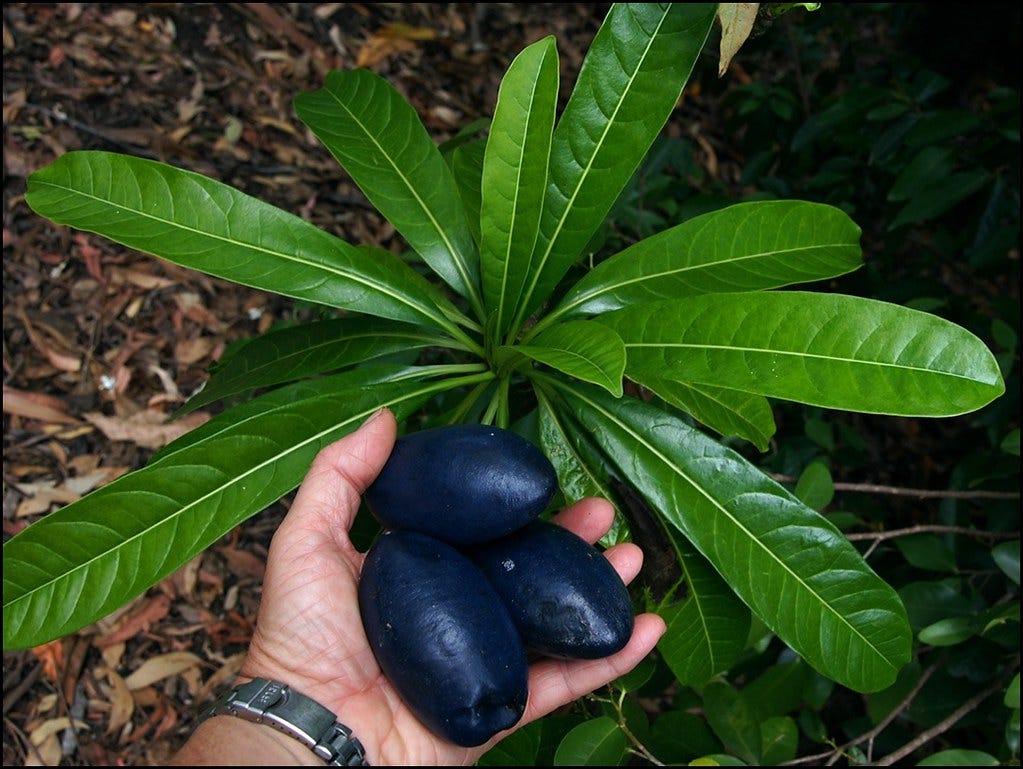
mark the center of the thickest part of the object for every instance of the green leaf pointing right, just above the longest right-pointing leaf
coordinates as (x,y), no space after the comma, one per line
(744,248)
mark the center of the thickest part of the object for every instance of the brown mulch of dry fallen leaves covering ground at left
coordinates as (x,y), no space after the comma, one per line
(103,343)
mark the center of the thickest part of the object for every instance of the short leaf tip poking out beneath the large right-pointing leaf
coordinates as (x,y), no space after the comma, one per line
(728,413)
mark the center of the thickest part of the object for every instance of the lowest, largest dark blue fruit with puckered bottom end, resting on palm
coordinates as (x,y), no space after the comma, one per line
(442,638)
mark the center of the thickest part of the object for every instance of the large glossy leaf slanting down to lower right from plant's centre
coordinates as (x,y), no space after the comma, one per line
(794,569)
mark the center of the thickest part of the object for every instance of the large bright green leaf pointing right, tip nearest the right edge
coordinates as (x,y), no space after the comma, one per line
(822,349)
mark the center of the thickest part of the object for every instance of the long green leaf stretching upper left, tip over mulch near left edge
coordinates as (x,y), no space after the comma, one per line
(200,223)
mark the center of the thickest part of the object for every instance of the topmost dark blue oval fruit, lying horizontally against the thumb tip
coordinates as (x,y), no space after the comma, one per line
(463,484)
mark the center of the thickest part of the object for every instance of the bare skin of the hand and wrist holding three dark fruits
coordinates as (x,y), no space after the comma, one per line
(309,632)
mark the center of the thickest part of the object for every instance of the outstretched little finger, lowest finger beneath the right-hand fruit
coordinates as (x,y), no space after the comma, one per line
(554,684)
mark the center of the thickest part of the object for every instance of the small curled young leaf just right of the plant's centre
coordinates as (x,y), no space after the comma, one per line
(583,349)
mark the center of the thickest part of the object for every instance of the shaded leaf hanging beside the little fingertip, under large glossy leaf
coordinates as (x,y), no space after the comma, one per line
(707,630)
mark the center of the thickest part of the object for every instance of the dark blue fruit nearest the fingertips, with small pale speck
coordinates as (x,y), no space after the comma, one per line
(565,598)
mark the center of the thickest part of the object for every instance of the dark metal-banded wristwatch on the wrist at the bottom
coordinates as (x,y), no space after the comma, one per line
(277,705)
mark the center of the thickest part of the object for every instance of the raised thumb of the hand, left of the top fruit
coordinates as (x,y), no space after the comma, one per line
(331,494)
